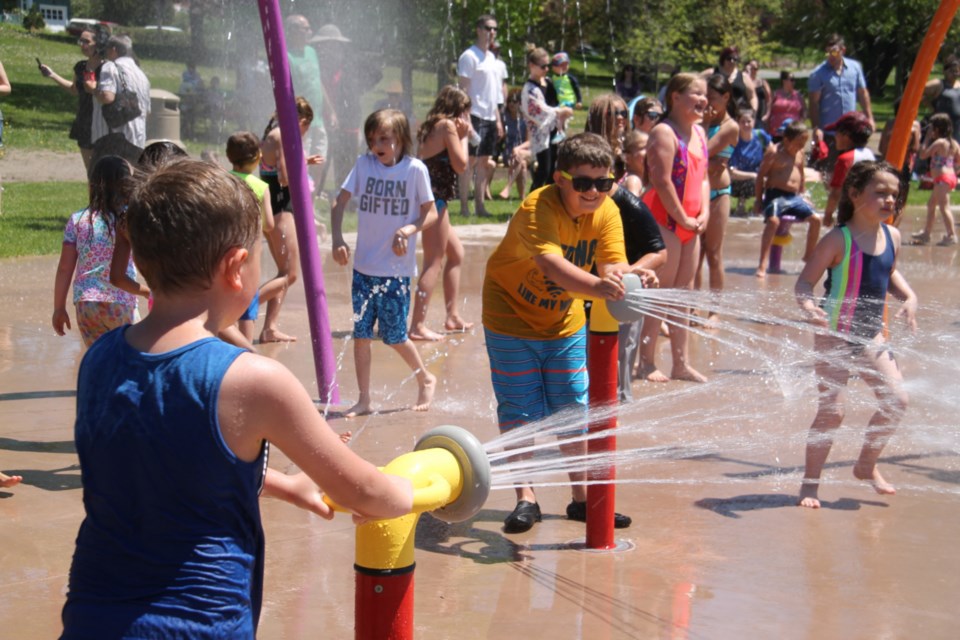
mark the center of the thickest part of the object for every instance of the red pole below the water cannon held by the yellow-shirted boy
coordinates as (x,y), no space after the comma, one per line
(602,369)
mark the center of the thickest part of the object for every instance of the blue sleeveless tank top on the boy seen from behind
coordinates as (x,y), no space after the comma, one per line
(172,544)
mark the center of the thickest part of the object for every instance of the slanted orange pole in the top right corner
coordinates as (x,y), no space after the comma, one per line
(910,103)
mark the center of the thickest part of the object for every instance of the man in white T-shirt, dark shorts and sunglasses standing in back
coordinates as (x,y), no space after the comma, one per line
(481,79)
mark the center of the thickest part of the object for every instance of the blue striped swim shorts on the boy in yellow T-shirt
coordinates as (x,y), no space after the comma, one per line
(534,379)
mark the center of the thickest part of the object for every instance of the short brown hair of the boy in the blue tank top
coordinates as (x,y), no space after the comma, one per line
(183,218)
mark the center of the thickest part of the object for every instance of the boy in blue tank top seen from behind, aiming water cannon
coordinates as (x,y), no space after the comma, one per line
(173,425)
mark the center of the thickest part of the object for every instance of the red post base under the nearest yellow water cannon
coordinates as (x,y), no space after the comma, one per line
(383,605)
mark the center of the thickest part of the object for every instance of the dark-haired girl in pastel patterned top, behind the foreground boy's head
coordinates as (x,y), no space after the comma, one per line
(88,245)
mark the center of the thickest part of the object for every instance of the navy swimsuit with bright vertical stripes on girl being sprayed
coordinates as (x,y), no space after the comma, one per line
(856,289)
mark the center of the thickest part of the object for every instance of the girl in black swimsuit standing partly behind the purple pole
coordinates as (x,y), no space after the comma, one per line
(283,240)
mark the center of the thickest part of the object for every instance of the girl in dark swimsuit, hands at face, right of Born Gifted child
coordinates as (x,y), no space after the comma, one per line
(443,149)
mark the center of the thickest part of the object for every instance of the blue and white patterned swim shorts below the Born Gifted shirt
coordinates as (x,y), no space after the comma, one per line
(384,301)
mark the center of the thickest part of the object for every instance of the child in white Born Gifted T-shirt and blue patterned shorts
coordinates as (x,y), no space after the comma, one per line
(394,203)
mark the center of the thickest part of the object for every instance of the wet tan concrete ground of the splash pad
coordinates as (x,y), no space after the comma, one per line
(719,549)
